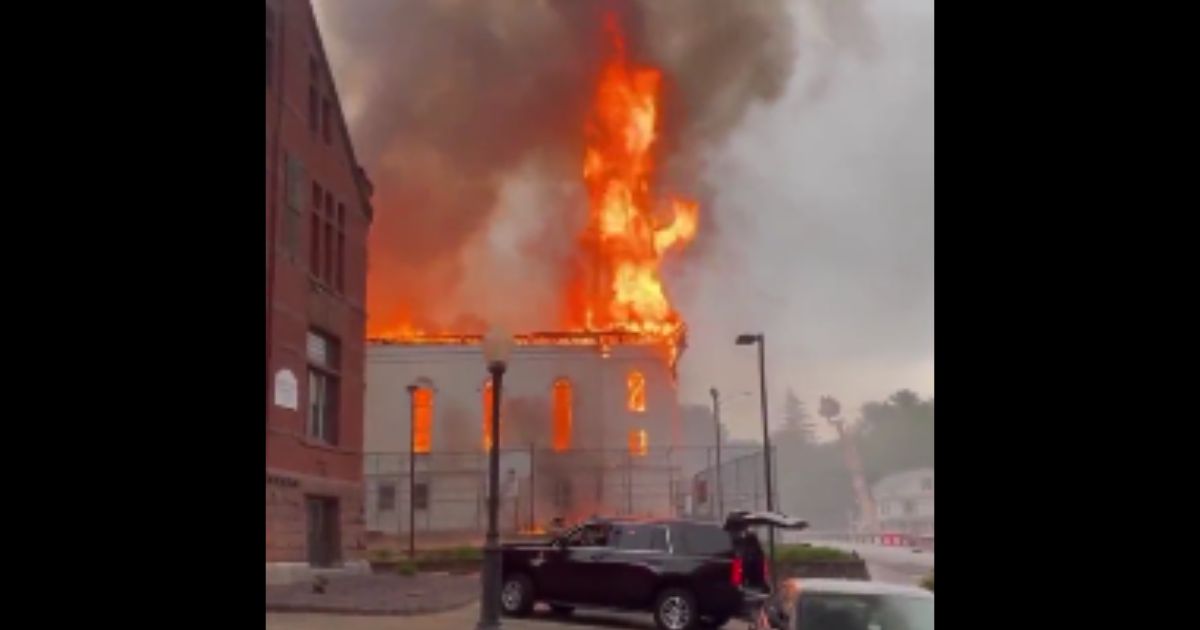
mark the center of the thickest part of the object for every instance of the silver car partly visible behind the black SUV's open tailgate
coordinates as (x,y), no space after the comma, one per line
(848,605)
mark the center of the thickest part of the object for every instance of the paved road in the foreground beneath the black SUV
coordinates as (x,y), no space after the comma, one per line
(464,619)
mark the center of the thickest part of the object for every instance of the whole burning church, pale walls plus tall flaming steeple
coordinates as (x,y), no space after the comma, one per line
(590,419)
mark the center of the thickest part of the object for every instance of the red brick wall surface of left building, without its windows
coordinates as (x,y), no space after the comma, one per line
(298,301)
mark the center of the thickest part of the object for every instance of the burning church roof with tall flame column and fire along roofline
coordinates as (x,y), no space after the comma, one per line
(616,296)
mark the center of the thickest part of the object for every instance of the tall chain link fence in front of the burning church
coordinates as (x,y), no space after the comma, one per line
(442,497)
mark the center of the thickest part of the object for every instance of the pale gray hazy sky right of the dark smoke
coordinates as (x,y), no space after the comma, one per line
(824,235)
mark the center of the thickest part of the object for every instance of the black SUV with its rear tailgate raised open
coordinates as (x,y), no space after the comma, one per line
(688,574)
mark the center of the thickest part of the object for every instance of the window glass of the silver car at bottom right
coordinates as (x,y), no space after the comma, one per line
(844,611)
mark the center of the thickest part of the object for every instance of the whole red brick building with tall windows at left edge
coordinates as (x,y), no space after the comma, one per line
(319,215)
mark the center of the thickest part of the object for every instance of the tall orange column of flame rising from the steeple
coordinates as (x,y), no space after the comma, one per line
(629,232)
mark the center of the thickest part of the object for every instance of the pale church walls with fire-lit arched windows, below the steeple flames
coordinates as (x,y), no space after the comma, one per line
(587,425)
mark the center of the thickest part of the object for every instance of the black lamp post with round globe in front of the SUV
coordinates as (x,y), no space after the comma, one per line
(497,347)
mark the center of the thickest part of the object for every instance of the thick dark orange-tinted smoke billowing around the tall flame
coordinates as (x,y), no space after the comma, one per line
(469,117)
